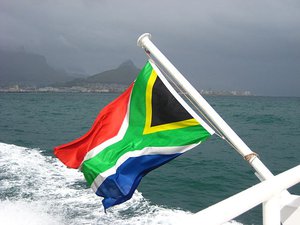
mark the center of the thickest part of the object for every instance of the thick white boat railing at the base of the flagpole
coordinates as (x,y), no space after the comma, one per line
(267,192)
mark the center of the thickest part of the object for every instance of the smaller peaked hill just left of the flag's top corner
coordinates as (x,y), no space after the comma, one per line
(125,74)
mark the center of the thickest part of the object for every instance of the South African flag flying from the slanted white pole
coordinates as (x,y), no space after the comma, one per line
(145,127)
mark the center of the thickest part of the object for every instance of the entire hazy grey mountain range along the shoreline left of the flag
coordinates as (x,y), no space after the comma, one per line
(30,69)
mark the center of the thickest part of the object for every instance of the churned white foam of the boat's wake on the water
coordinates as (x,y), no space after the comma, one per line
(39,190)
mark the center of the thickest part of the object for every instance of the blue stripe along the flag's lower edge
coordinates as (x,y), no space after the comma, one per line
(120,186)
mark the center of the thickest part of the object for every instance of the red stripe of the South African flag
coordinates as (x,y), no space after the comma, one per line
(106,126)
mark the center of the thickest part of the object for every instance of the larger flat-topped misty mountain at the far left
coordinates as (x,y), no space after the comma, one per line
(24,68)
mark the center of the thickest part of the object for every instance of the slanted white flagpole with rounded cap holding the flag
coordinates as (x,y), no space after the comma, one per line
(262,171)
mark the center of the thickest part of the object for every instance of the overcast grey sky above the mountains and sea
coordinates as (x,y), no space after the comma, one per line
(217,44)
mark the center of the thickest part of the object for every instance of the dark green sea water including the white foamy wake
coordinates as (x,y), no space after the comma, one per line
(35,188)
